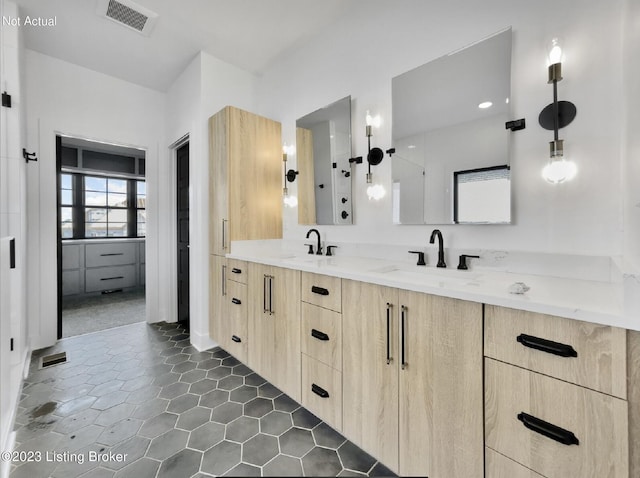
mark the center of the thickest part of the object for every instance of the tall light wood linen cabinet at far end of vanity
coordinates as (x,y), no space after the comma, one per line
(245,202)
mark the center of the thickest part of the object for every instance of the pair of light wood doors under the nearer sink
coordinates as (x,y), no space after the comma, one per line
(412,379)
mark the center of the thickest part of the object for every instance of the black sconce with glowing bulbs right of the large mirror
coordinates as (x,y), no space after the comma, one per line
(553,117)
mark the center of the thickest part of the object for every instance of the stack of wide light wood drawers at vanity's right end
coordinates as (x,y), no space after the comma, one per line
(544,403)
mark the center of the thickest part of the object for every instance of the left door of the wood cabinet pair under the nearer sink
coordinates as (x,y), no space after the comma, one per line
(370,369)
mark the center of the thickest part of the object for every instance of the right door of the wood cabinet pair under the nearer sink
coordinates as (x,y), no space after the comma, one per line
(440,387)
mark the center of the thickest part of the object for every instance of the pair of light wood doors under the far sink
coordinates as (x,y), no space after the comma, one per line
(274,326)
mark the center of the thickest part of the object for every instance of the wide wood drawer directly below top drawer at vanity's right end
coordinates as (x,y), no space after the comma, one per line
(594,425)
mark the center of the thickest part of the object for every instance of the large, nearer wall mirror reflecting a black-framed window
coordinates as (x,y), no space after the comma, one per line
(449,133)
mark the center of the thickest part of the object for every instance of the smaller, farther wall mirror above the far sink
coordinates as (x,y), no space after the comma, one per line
(323,148)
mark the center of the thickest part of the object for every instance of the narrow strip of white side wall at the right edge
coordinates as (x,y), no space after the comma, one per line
(631,157)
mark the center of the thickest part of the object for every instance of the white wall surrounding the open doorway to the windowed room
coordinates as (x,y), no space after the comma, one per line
(68,99)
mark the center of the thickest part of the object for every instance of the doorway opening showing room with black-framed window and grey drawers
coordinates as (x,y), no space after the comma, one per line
(101,193)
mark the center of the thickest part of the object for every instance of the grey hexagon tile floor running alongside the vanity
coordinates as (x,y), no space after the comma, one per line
(143,391)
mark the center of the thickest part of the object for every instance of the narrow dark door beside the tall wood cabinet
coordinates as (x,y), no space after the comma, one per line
(183,233)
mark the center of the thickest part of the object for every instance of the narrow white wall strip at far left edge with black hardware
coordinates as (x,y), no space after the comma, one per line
(13,322)
